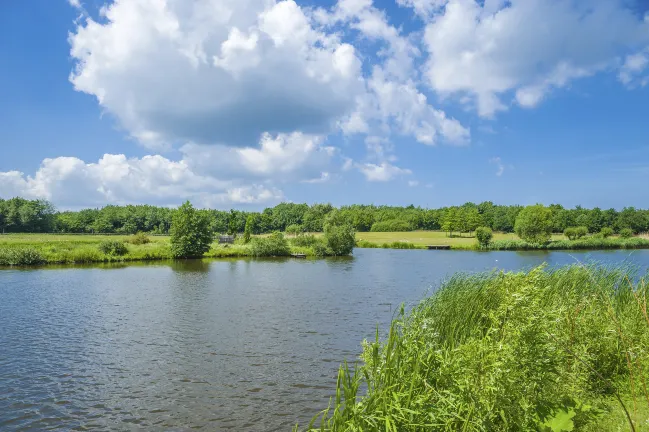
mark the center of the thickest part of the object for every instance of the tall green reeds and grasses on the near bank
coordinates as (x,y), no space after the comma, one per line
(547,350)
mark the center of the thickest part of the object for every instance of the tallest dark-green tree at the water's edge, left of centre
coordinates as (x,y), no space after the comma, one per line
(191,235)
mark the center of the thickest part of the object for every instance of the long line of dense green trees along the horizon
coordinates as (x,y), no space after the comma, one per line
(18,215)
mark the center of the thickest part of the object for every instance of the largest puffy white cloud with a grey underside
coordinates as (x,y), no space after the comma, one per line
(214,71)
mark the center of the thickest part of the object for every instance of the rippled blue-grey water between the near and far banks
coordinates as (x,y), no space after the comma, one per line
(221,345)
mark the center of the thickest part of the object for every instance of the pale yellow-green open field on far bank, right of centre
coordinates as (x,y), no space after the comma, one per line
(424,238)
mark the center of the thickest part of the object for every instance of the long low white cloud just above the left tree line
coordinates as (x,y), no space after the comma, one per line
(70,182)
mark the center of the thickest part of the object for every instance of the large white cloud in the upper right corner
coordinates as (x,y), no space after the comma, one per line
(527,47)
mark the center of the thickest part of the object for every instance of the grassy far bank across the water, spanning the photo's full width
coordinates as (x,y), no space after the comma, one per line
(39,249)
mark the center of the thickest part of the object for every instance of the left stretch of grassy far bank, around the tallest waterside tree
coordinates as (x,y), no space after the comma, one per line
(37,249)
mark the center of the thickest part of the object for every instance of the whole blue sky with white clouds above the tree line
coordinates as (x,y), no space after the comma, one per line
(248,103)
